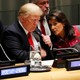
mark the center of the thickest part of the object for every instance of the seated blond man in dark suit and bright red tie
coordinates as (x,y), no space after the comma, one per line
(15,41)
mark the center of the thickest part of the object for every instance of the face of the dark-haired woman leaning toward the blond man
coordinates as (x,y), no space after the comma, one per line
(57,27)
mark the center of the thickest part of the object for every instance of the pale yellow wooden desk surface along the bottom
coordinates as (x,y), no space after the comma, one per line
(54,74)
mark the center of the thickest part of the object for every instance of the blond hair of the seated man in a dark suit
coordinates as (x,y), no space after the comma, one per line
(30,8)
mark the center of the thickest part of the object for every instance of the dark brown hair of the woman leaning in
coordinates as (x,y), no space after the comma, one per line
(61,17)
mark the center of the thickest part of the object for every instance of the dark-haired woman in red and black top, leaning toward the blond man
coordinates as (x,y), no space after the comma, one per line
(63,35)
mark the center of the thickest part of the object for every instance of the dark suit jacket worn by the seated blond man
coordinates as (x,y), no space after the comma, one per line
(15,43)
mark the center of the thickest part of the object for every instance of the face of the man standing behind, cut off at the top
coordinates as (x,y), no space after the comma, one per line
(44,5)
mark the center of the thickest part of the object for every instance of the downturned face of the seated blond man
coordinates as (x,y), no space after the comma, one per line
(30,22)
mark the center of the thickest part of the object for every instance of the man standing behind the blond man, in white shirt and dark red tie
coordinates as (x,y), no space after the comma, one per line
(43,22)
